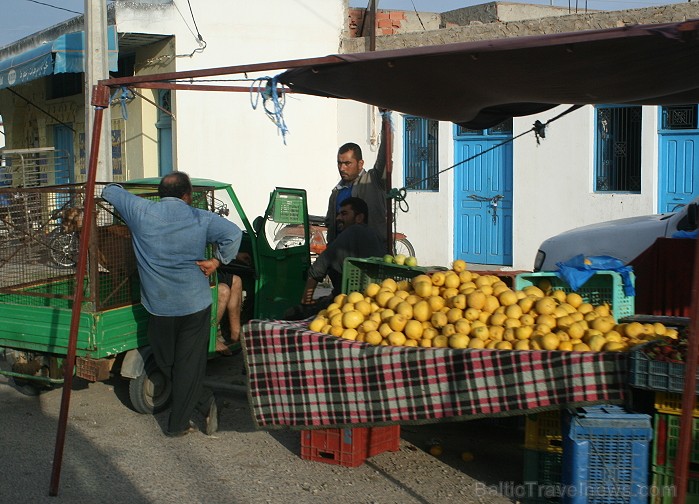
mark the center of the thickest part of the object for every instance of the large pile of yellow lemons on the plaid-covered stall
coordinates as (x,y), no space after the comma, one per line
(461,309)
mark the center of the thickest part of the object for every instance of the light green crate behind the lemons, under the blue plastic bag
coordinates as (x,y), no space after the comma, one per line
(603,287)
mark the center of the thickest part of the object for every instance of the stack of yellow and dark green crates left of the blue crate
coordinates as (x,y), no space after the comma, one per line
(543,457)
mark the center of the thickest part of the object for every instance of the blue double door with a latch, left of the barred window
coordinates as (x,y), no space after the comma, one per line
(483,196)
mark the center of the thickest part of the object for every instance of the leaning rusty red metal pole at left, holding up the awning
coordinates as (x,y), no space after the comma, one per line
(101,95)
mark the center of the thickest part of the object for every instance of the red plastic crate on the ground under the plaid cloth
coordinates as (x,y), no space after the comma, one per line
(348,447)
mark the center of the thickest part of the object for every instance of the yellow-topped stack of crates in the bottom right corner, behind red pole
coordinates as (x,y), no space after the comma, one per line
(666,439)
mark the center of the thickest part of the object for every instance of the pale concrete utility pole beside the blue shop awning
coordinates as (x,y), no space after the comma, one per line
(96,69)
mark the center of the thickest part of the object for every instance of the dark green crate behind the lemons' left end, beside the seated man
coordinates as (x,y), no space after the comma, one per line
(358,273)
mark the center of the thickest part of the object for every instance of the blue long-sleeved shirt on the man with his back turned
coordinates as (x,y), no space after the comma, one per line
(169,236)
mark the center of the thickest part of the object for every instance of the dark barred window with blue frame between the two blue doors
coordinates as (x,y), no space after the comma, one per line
(618,149)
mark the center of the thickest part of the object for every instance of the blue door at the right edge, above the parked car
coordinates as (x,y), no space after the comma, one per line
(679,157)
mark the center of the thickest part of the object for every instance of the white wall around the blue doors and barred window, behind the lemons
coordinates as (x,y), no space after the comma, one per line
(553,183)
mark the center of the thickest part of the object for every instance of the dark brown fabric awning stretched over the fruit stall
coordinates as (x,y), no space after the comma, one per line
(479,84)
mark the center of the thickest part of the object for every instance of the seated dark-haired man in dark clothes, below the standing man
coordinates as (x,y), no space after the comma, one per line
(356,239)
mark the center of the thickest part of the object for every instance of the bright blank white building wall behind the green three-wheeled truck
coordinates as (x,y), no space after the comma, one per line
(218,135)
